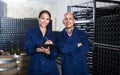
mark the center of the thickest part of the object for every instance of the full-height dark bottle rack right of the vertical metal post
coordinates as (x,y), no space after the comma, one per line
(106,51)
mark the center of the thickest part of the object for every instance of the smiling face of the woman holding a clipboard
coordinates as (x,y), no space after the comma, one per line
(44,20)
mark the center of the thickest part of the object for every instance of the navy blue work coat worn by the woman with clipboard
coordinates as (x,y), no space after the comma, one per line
(40,63)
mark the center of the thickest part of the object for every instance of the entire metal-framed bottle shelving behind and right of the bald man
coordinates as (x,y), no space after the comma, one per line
(100,20)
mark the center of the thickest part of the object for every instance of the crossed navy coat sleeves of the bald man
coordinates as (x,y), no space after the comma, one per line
(67,47)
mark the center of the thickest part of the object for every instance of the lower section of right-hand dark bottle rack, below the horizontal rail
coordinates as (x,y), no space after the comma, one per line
(106,60)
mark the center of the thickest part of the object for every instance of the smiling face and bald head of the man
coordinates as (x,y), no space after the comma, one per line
(68,20)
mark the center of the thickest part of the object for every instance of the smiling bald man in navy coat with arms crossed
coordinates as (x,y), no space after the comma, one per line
(73,45)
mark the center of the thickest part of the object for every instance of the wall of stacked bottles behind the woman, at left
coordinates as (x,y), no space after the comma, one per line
(13,32)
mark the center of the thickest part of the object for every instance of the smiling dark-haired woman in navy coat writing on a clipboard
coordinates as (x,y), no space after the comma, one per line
(42,59)
